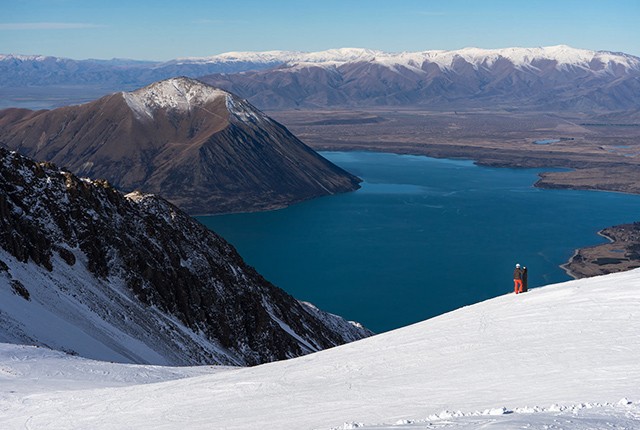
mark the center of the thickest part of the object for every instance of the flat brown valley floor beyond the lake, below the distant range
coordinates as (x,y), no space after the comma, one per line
(603,153)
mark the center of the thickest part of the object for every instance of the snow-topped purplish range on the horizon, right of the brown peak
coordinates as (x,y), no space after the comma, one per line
(552,78)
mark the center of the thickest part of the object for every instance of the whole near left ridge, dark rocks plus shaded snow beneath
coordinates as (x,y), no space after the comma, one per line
(87,270)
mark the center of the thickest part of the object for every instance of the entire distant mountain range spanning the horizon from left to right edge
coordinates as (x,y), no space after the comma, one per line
(549,78)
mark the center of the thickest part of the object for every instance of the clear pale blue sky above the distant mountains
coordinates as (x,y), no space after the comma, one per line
(161,30)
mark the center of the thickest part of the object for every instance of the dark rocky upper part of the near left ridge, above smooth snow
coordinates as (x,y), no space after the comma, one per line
(167,260)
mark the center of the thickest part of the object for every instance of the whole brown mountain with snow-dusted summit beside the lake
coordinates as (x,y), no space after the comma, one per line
(201,148)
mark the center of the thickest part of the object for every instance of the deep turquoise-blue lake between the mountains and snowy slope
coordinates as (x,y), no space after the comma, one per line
(422,237)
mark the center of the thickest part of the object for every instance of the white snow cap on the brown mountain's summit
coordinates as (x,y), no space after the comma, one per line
(180,94)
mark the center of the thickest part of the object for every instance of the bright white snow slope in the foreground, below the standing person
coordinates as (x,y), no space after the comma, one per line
(565,356)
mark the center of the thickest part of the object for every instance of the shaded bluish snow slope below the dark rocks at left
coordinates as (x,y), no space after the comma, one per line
(70,309)
